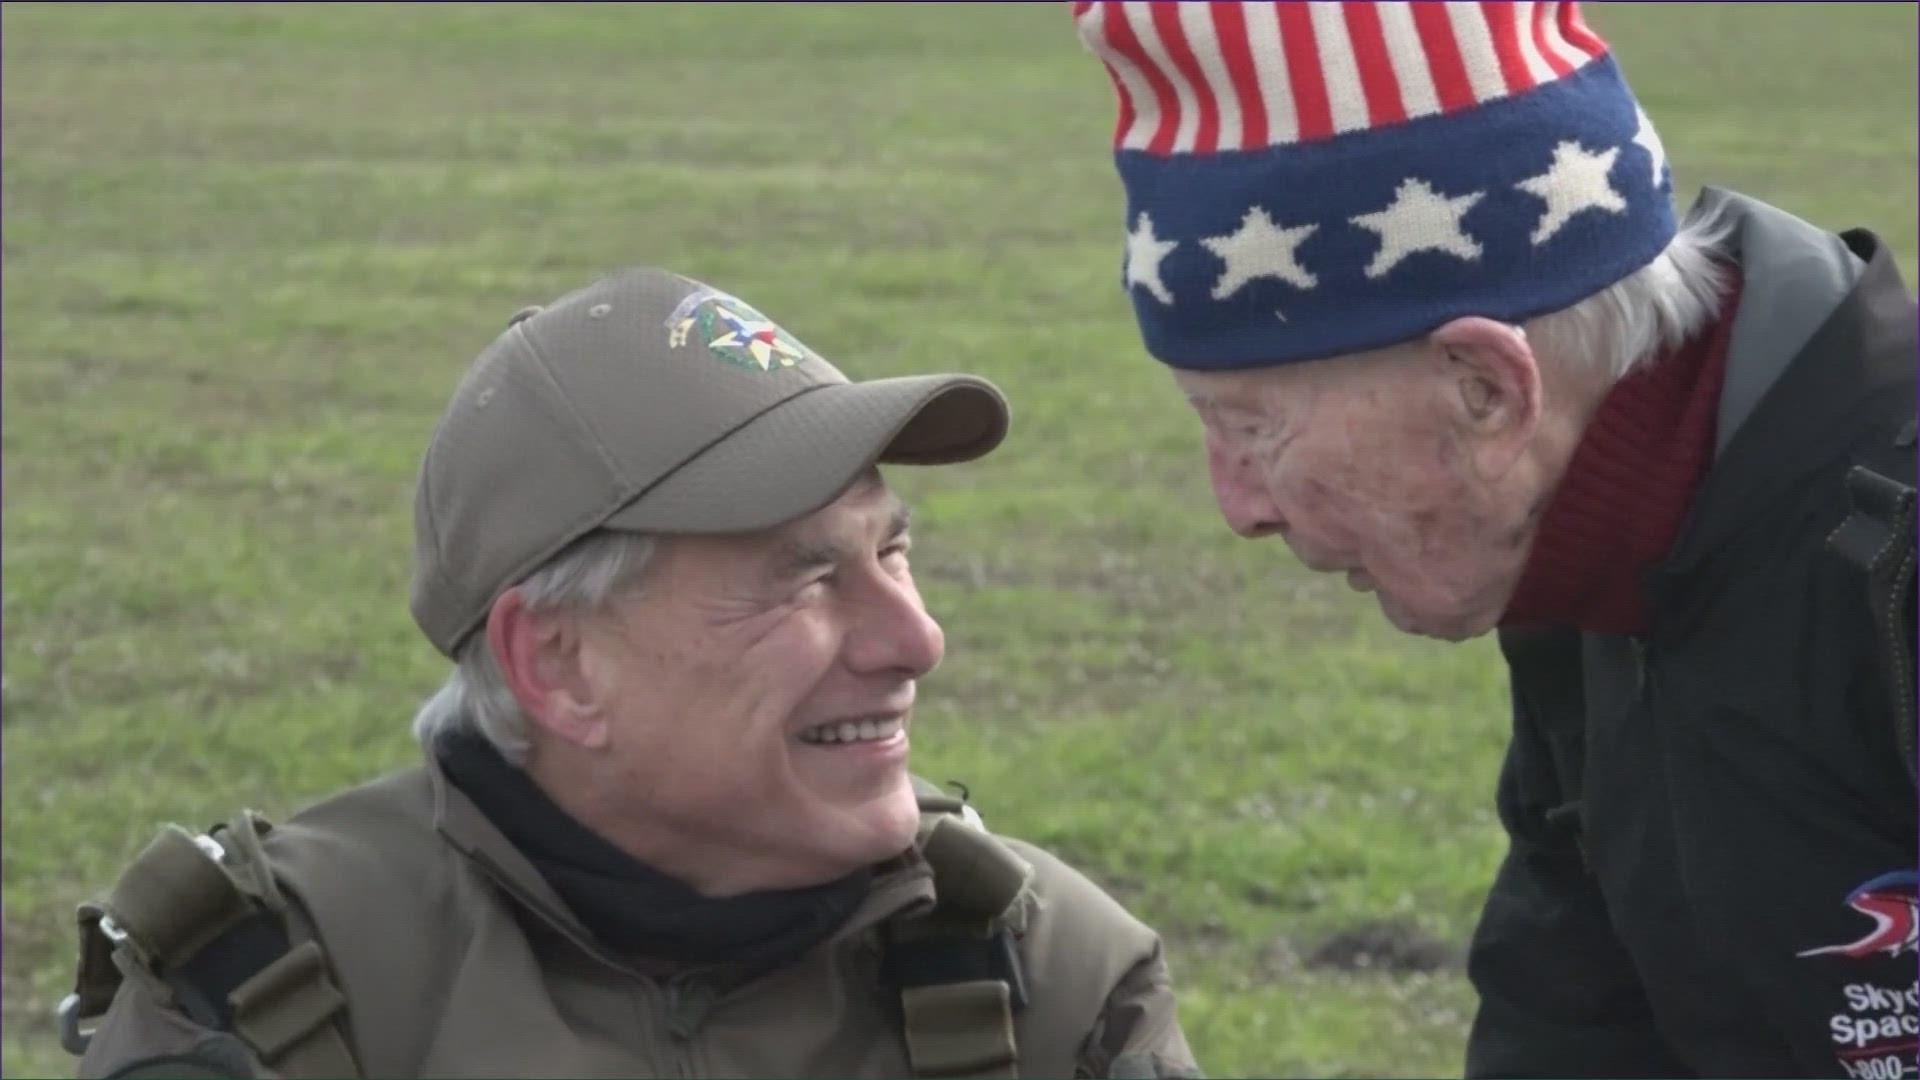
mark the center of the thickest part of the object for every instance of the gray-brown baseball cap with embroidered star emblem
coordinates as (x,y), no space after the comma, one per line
(652,403)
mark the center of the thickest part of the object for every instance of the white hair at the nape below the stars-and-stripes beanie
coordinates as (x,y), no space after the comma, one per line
(1648,312)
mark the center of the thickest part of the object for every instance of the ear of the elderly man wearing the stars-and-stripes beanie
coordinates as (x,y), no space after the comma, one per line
(1493,385)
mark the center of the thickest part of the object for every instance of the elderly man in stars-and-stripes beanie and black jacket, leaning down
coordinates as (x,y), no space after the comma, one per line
(1418,270)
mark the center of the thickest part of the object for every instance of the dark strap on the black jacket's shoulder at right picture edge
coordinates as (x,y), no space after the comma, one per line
(1879,539)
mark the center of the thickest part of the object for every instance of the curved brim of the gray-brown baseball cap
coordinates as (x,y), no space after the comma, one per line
(804,453)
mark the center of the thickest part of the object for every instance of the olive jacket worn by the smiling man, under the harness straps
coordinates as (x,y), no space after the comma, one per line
(456,958)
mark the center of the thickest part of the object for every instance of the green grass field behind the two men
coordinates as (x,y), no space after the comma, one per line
(249,251)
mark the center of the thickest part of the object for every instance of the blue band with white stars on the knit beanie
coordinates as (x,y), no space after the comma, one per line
(1297,253)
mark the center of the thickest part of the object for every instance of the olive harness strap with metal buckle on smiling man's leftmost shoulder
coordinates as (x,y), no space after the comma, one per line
(203,925)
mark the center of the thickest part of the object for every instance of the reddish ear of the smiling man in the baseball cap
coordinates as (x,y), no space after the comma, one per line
(546,670)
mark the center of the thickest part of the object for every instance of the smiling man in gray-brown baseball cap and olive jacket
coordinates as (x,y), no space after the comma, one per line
(665,823)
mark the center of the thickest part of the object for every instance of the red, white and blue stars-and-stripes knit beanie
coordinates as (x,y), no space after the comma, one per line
(1310,180)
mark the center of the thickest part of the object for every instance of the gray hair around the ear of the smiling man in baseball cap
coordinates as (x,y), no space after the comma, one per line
(585,577)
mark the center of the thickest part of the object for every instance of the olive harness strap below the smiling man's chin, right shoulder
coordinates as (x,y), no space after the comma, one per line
(959,968)
